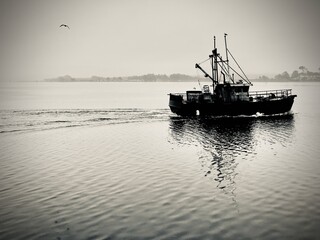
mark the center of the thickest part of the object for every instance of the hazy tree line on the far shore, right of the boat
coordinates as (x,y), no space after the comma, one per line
(303,74)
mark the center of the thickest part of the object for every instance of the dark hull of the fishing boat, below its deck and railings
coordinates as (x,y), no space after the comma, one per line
(267,107)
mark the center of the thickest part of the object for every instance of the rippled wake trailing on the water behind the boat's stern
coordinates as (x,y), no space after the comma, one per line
(38,120)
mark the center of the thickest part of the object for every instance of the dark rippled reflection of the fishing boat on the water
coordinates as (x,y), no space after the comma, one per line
(225,142)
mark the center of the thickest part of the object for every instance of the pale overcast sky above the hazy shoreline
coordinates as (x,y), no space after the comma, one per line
(134,37)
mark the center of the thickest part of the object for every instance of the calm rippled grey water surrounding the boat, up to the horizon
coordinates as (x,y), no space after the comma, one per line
(98,160)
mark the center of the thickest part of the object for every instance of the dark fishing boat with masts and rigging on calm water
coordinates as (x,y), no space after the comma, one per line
(227,96)
